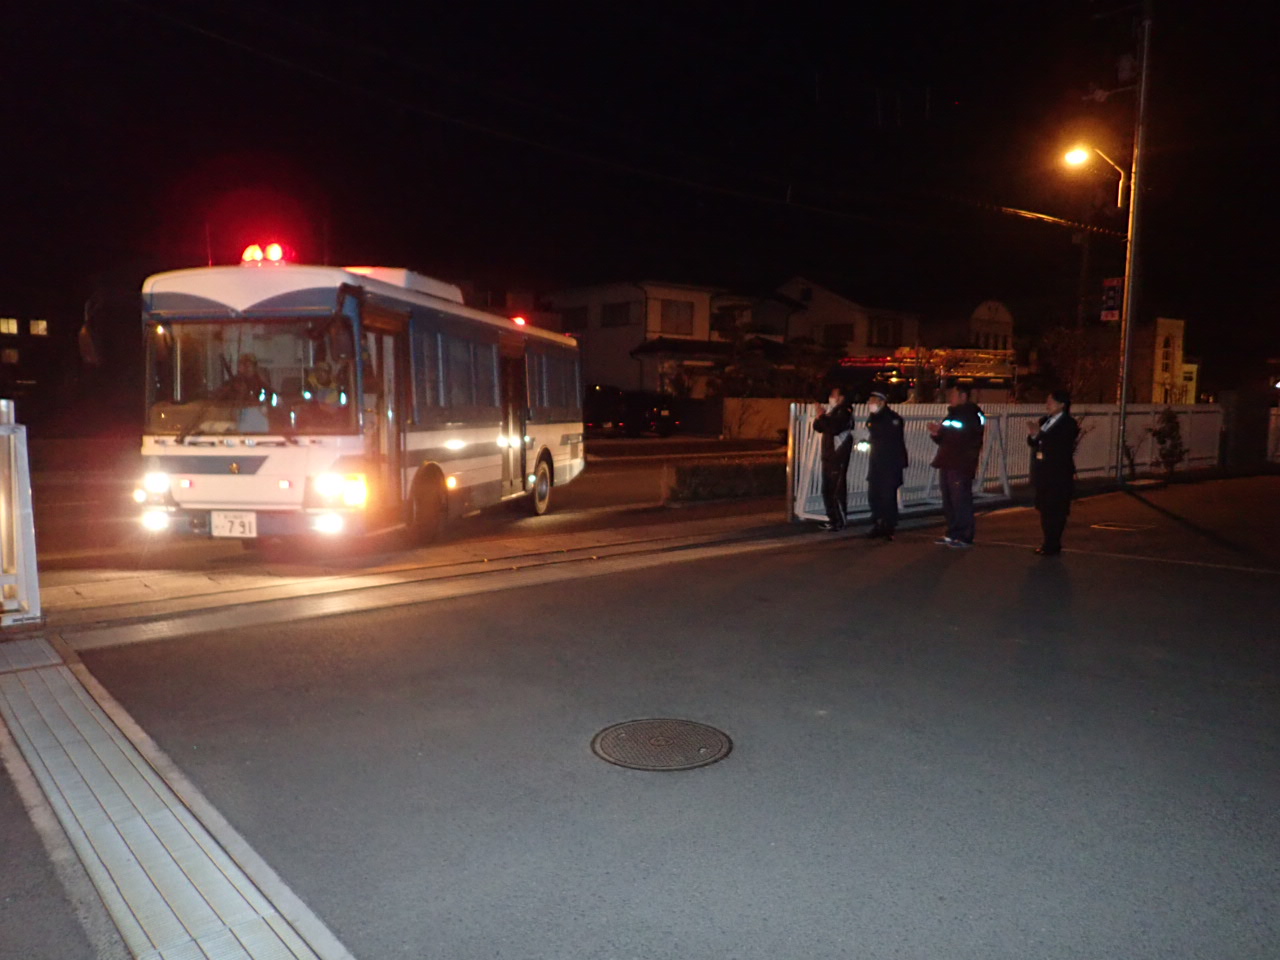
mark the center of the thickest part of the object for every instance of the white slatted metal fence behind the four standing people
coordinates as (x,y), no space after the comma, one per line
(1005,455)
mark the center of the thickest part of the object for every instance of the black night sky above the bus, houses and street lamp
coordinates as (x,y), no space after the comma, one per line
(540,145)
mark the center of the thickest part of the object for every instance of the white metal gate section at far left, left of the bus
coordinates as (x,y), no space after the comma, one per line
(20,586)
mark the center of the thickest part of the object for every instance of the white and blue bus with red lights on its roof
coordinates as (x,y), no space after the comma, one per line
(286,401)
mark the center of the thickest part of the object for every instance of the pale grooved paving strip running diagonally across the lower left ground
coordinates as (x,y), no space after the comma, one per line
(166,880)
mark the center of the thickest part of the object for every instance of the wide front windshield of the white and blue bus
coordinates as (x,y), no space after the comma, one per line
(252,377)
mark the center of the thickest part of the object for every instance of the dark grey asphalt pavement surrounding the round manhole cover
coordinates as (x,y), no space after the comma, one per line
(938,753)
